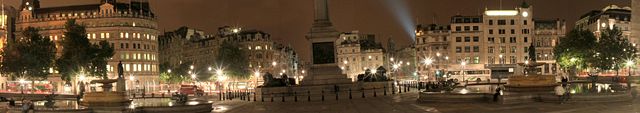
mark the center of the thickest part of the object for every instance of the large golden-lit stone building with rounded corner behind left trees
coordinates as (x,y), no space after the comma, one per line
(130,26)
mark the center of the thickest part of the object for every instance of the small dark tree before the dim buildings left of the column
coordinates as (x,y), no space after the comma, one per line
(233,59)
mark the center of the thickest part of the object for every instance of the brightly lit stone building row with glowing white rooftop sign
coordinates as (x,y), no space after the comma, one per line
(487,46)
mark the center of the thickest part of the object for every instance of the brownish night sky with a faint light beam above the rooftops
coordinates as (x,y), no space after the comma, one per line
(289,20)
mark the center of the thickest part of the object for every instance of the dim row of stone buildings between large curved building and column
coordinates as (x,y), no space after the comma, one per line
(188,45)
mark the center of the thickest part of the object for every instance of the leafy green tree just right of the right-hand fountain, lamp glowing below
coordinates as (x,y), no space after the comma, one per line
(575,50)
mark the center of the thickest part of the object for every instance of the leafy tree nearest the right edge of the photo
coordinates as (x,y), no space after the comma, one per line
(613,50)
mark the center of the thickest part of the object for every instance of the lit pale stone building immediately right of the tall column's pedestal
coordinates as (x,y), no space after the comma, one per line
(358,52)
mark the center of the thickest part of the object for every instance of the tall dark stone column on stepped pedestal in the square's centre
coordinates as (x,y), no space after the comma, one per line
(324,69)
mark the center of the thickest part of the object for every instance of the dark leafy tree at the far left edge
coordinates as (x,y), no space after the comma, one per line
(30,56)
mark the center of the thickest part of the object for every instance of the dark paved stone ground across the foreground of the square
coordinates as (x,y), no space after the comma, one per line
(406,103)
